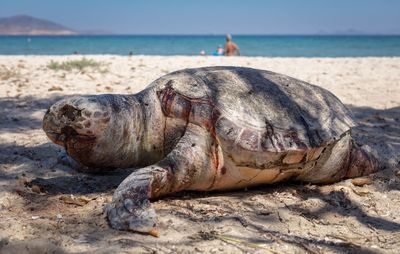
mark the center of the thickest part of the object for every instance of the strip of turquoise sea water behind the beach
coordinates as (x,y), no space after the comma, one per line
(274,46)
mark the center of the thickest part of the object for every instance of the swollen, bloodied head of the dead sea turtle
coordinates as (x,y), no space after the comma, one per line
(94,130)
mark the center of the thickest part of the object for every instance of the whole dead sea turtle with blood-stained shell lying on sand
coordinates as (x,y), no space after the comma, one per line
(212,128)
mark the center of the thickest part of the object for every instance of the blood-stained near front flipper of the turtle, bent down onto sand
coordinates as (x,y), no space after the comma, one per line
(188,166)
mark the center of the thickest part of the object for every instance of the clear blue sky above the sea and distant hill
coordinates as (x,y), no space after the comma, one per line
(218,16)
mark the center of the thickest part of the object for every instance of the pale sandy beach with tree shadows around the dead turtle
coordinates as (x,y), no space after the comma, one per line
(37,189)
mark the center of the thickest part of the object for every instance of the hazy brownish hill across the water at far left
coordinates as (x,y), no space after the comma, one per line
(27,25)
